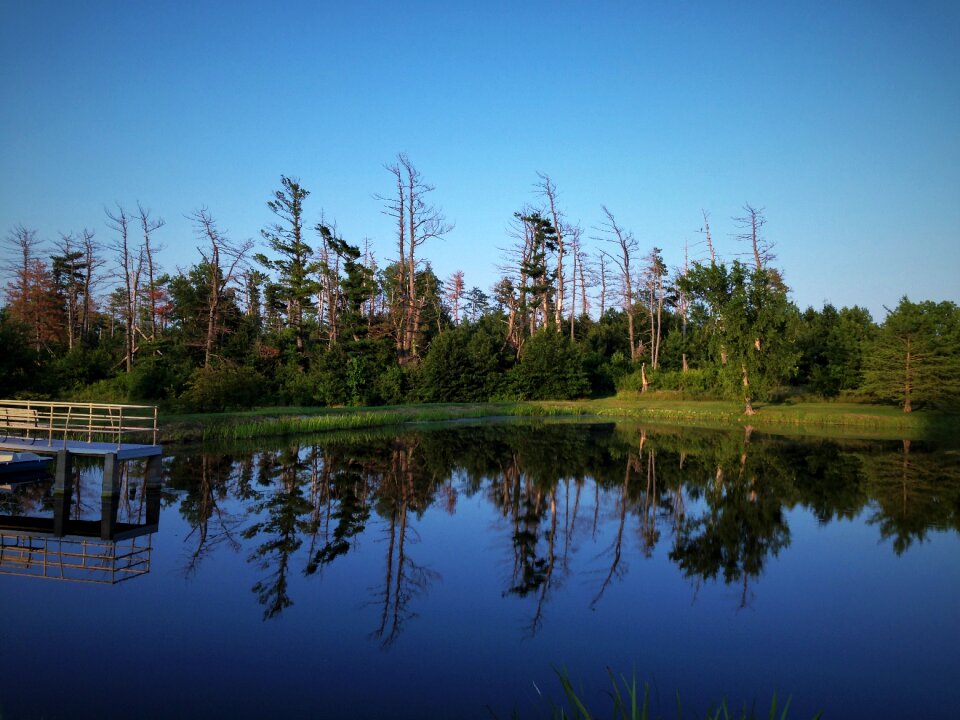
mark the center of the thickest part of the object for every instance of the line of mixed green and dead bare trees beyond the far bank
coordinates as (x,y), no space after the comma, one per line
(308,317)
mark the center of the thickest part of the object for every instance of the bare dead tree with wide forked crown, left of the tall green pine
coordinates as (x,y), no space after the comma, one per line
(218,250)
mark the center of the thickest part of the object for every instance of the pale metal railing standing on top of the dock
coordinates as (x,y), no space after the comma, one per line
(83,422)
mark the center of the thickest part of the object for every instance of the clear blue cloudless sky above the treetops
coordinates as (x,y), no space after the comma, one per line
(842,120)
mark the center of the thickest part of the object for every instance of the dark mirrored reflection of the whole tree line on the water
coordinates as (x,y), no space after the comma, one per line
(722,500)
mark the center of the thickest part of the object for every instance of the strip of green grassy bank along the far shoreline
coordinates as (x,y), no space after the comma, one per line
(847,419)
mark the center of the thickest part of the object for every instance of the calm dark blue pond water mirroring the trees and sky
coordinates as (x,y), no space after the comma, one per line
(448,571)
